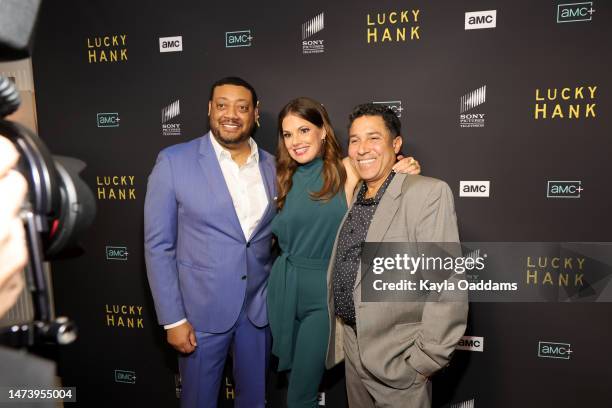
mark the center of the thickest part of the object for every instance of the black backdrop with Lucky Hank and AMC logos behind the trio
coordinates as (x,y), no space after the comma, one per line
(121,358)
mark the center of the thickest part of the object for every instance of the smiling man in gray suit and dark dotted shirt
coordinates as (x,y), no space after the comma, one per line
(390,348)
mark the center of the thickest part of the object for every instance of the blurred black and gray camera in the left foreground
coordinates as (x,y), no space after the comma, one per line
(59,204)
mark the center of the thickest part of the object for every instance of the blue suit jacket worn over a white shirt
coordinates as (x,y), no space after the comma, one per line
(199,264)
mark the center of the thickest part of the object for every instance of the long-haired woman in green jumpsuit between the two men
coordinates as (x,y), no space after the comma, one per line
(314,185)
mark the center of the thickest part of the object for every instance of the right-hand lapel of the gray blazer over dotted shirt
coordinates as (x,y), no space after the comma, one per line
(387,208)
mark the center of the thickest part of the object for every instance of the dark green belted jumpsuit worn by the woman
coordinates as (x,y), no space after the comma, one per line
(297,288)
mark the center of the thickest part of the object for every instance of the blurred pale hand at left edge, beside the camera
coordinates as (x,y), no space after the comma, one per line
(13,249)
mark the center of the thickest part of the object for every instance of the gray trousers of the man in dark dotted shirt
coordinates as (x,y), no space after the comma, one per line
(366,391)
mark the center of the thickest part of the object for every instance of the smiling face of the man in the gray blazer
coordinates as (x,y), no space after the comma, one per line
(372,149)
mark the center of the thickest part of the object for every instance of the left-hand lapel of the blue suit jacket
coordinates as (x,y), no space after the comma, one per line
(214,177)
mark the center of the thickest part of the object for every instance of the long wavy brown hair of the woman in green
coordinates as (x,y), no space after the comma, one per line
(334,174)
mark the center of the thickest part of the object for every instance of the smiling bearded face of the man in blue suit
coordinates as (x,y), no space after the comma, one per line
(231,114)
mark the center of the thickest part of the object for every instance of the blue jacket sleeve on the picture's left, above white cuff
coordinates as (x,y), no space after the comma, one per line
(160,237)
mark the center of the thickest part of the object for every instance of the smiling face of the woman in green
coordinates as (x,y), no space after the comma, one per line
(302,138)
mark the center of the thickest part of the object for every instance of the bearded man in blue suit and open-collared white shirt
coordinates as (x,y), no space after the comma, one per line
(208,210)
